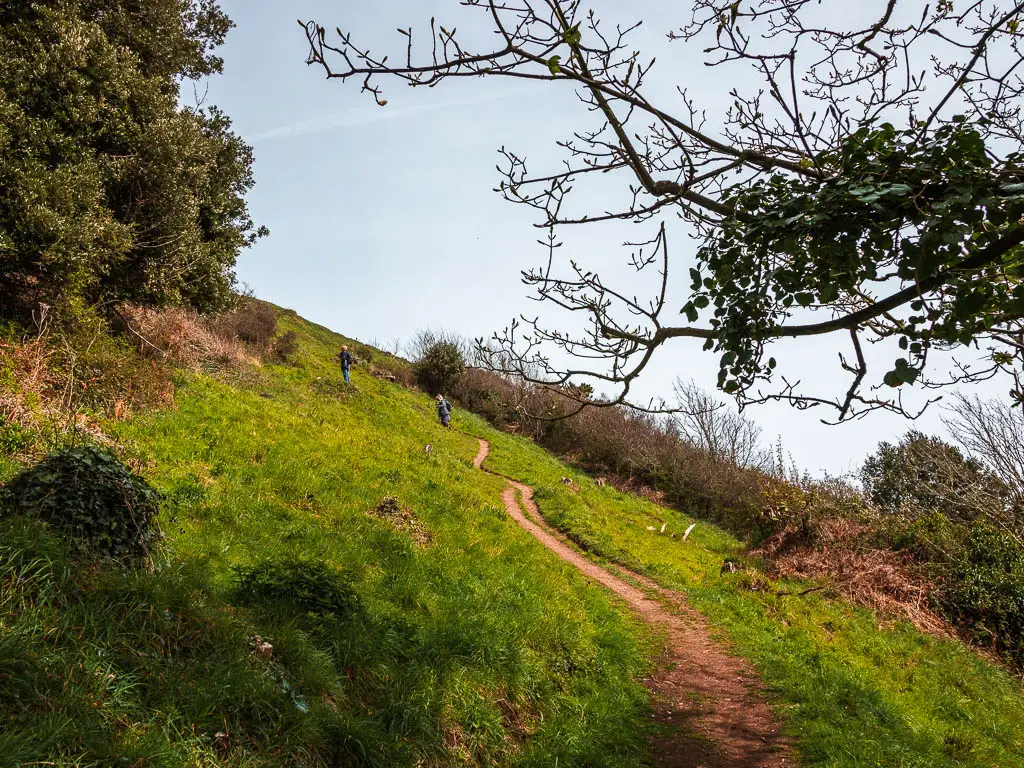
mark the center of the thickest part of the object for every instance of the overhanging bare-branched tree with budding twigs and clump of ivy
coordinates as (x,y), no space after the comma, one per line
(866,181)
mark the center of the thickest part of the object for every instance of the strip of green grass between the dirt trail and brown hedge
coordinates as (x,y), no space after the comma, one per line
(852,690)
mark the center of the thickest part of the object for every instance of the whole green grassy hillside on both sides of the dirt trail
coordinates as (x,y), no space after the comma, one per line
(464,643)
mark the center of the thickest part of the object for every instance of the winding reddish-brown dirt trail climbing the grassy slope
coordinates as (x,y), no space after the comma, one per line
(710,705)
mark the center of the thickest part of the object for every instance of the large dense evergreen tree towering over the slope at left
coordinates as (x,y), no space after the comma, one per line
(111,190)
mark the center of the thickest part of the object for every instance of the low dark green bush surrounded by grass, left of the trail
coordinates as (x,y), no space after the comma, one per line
(295,586)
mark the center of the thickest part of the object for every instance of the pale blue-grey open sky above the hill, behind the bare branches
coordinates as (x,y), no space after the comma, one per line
(385,221)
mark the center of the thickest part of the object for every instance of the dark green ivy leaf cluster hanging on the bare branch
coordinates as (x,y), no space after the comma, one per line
(887,208)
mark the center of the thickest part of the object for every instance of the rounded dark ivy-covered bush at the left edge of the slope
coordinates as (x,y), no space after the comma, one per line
(89,496)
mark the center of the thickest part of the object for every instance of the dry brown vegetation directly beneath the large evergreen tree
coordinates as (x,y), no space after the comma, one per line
(60,379)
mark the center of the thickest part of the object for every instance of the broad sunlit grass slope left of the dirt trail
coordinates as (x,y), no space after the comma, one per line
(478,650)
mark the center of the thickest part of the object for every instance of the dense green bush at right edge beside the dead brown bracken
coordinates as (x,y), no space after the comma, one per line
(986,591)
